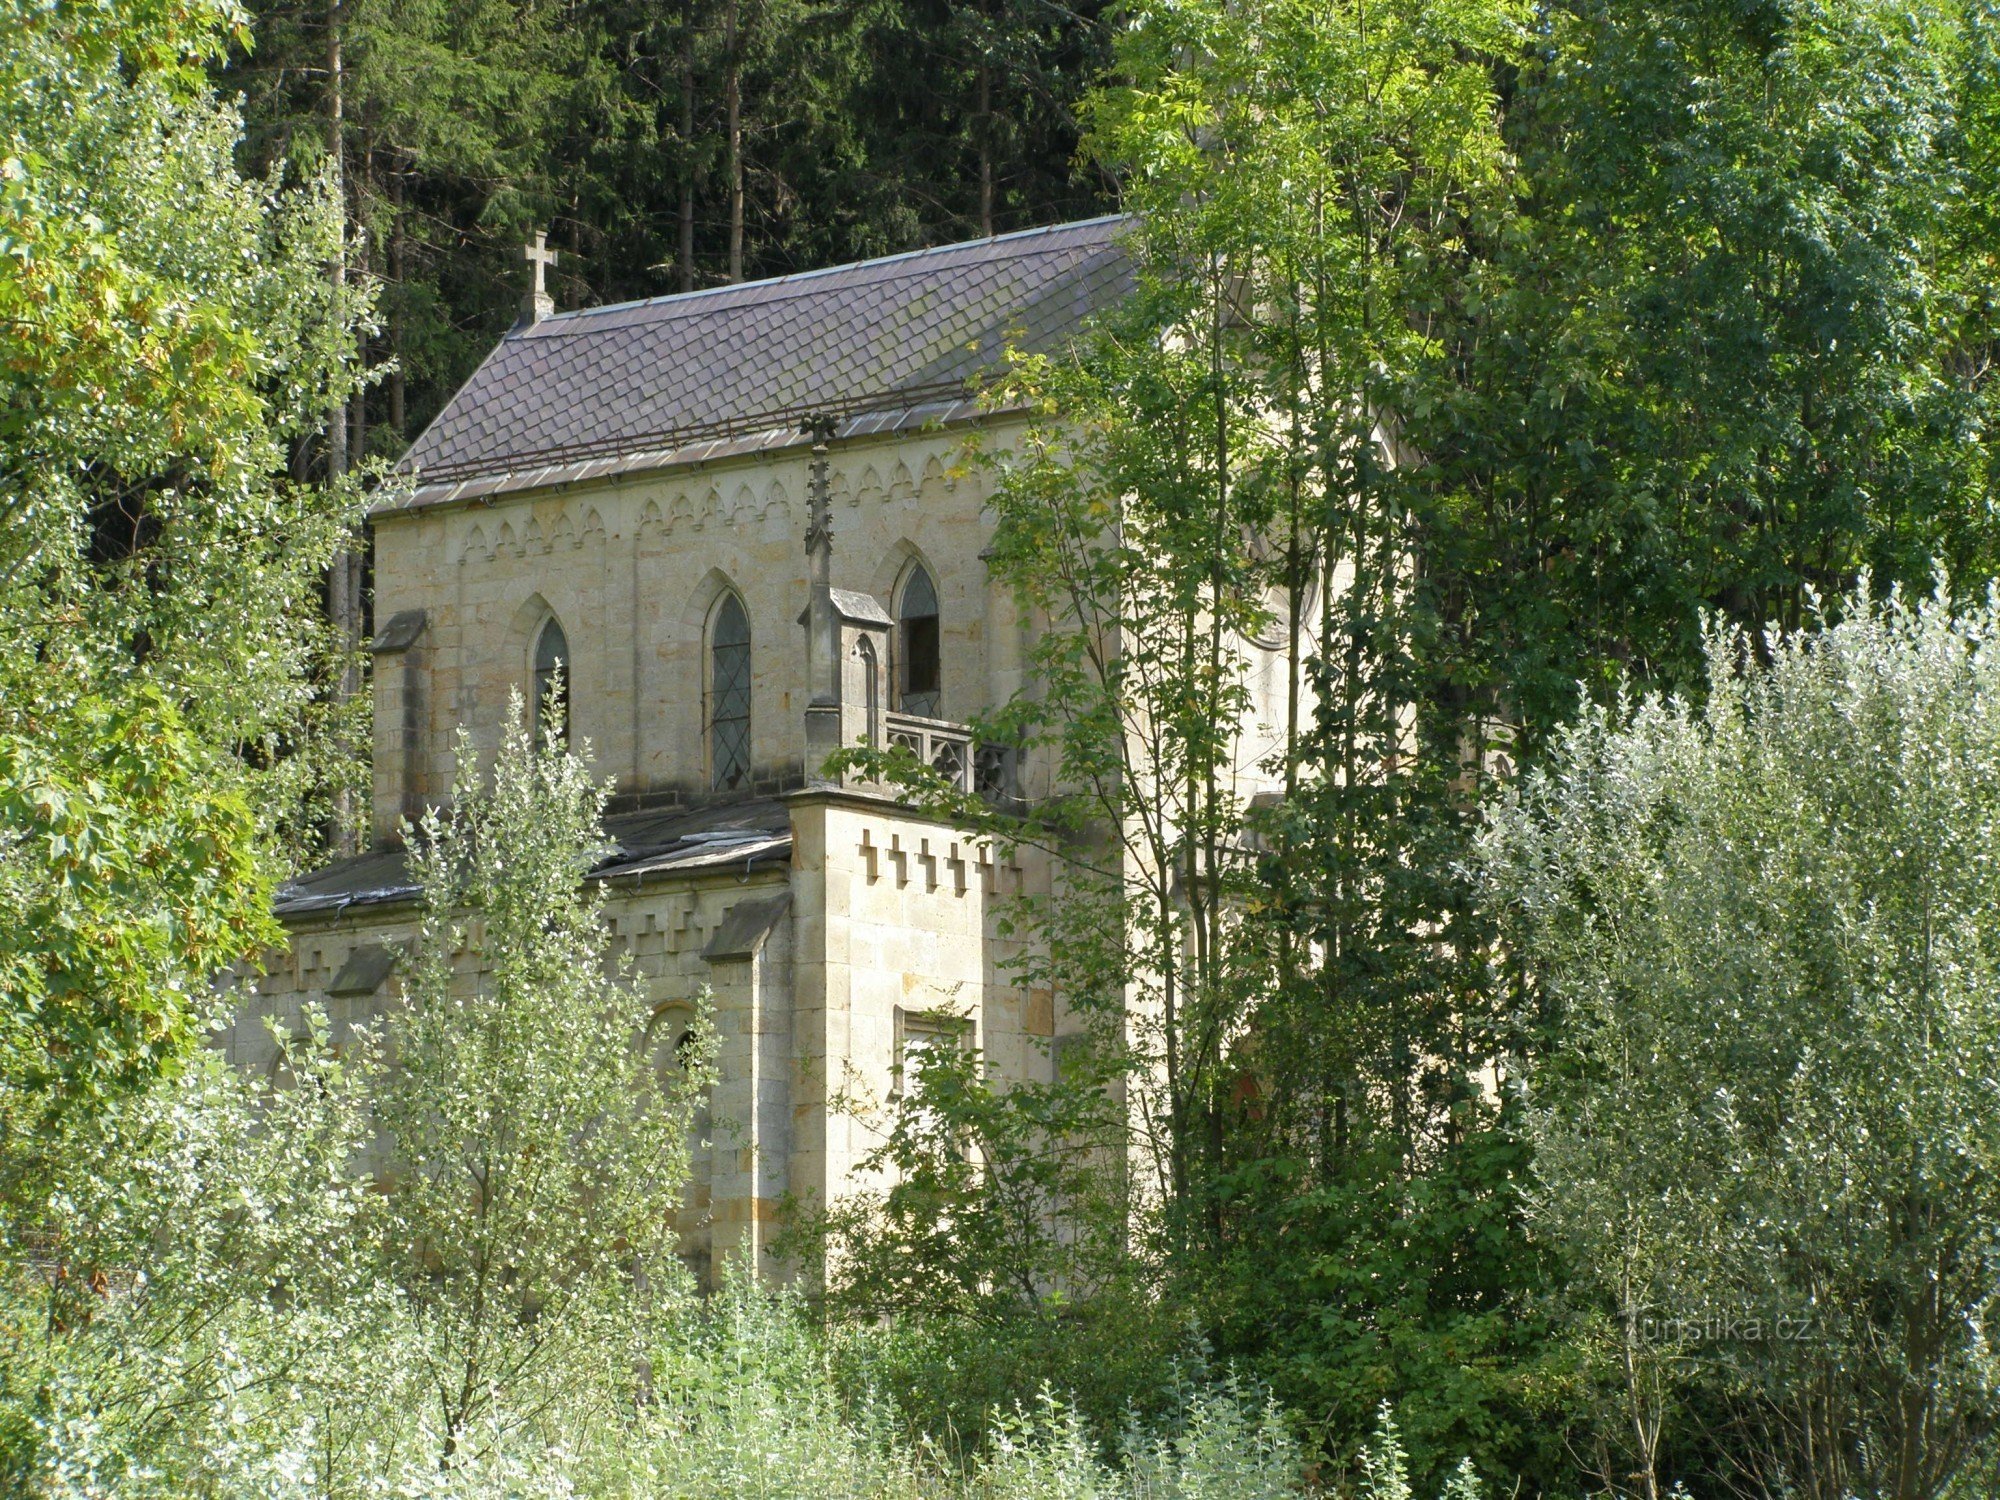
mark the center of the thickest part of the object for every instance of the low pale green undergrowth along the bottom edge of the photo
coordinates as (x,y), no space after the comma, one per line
(737,1395)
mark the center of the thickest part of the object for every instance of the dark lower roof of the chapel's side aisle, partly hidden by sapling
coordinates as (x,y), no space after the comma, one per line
(733,837)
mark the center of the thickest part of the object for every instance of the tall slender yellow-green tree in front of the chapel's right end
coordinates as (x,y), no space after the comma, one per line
(1259,909)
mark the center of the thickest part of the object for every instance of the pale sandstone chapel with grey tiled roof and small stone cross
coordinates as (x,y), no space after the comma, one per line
(741,523)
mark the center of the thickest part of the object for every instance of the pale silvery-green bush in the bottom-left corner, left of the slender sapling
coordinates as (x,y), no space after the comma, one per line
(191,1309)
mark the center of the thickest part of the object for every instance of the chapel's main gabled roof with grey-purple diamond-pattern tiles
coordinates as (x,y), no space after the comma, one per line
(593,391)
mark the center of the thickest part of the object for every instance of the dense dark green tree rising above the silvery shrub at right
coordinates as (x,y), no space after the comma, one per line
(1723,343)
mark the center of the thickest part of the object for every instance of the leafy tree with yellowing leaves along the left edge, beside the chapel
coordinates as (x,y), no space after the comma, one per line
(165,333)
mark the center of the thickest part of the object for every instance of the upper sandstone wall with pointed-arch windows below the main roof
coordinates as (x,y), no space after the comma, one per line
(635,569)
